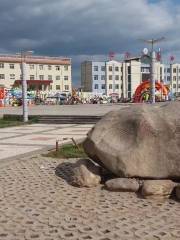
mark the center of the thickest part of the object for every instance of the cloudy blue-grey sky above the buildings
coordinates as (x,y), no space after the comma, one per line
(88,29)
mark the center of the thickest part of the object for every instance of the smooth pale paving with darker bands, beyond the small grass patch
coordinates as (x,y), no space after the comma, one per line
(29,138)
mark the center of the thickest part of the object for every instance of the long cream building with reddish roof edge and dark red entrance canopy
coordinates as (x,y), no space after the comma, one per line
(43,73)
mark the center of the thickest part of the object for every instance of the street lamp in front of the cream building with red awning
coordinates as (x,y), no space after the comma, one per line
(23,55)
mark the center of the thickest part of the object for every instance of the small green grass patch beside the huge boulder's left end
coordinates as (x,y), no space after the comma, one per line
(68,151)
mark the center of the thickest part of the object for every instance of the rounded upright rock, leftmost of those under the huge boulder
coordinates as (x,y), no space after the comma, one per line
(85,174)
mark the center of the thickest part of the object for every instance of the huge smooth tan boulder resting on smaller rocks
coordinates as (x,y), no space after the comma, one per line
(138,141)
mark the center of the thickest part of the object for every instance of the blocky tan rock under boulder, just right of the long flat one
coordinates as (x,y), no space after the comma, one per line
(157,188)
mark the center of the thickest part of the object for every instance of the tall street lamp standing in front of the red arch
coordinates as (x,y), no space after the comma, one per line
(153,61)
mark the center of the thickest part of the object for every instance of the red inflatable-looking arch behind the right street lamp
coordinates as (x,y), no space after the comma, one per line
(145,87)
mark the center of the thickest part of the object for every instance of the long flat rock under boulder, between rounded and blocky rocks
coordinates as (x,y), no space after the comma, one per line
(122,184)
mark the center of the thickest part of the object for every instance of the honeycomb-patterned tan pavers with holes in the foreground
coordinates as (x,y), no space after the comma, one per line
(37,203)
